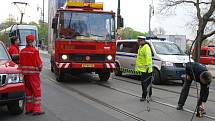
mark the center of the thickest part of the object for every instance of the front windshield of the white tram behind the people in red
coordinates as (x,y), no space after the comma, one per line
(23,33)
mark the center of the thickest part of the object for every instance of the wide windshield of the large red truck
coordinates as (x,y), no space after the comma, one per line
(86,26)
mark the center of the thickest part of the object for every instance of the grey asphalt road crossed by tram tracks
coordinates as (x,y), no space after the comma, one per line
(84,98)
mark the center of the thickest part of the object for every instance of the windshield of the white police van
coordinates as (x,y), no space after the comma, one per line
(165,48)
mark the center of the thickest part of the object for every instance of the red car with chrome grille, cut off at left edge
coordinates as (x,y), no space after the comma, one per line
(12,91)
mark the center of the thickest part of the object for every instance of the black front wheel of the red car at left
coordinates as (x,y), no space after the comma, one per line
(16,107)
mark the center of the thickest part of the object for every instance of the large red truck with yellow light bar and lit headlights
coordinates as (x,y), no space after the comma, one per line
(82,39)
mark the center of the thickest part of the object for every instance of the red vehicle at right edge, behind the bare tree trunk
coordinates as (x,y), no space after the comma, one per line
(207,55)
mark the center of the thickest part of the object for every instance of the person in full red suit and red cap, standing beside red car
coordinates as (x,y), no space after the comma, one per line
(31,65)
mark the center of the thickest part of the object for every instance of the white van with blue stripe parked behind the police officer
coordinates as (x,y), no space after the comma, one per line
(168,59)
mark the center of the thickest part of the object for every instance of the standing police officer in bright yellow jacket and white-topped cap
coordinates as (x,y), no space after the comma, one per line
(144,65)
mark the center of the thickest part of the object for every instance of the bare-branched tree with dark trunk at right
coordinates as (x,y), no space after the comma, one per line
(205,17)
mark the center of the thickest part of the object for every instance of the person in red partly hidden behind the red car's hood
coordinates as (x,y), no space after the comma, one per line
(14,48)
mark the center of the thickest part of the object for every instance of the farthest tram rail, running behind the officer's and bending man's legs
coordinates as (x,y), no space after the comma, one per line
(159,88)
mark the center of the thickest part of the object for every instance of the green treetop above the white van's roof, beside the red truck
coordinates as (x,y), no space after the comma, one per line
(129,33)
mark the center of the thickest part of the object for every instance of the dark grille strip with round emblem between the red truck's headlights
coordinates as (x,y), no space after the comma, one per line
(83,57)
